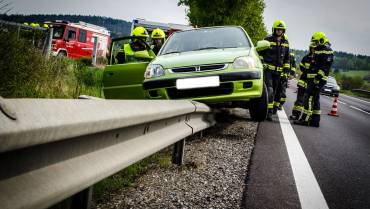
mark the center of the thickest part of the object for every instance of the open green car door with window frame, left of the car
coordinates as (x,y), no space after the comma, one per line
(123,81)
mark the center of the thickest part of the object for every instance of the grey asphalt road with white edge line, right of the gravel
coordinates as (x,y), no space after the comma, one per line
(326,167)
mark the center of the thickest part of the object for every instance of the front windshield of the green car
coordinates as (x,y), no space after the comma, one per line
(206,38)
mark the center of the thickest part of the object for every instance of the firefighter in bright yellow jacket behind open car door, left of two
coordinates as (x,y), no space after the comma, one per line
(136,50)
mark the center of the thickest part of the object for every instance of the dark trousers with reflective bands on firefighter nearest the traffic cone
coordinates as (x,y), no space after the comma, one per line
(311,112)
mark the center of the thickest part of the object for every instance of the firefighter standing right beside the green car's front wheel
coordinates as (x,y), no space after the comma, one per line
(275,59)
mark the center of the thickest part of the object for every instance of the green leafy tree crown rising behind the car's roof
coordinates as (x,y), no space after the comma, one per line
(246,13)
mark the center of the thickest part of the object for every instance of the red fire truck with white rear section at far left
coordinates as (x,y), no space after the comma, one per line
(76,40)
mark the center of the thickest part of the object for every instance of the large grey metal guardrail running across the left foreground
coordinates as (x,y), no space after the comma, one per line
(51,149)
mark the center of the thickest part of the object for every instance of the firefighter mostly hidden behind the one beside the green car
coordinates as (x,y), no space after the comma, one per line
(284,79)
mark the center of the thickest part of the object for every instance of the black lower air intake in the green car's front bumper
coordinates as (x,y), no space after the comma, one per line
(223,89)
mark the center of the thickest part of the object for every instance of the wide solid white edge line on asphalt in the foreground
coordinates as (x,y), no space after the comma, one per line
(309,191)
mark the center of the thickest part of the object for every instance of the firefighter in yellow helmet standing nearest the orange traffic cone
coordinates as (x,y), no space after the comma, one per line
(316,78)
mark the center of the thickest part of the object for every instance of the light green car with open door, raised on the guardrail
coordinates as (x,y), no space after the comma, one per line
(218,66)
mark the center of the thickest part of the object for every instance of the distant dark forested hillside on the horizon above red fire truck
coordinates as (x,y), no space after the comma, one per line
(117,27)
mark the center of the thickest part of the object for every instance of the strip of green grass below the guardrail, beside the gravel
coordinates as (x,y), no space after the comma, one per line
(129,176)
